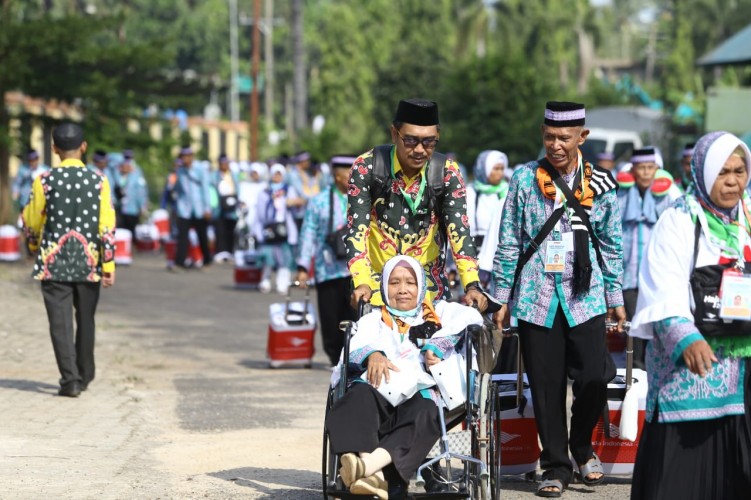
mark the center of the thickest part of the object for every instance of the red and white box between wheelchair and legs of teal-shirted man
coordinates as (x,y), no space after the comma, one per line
(520,449)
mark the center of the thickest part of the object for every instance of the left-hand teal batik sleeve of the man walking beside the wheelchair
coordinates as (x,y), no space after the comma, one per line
(509,240)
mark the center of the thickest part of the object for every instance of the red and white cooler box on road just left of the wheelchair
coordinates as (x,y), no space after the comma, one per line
(292,327)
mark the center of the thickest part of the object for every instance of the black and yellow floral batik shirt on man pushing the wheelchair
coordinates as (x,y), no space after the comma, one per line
(382,225)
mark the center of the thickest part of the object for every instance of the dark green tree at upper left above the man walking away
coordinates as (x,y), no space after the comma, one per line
(95,71)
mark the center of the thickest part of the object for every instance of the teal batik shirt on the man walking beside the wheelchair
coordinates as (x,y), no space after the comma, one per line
(539,294)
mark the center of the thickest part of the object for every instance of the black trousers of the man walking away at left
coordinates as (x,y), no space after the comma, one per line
(74,350)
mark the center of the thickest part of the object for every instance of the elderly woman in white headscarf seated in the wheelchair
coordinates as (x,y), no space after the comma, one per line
(388,419)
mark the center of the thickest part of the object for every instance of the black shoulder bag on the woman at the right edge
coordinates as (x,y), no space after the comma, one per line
(705,285)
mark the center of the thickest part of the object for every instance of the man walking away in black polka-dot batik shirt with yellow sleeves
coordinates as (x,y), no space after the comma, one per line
(70,222)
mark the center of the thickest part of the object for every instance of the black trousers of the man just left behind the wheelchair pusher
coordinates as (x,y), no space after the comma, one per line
(334,307)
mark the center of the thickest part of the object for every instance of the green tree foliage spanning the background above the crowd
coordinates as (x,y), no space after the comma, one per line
(490,64)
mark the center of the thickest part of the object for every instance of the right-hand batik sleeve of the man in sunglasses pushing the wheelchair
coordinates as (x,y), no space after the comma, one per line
(457,224)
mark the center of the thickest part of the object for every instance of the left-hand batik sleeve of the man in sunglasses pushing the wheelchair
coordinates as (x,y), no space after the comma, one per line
(358,219)
